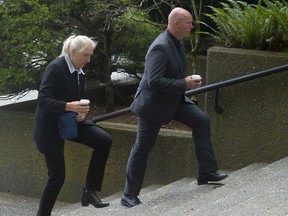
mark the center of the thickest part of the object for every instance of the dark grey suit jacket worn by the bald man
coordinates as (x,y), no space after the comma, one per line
(163,84)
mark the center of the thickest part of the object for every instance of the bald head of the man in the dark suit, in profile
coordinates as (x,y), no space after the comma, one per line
(180,22)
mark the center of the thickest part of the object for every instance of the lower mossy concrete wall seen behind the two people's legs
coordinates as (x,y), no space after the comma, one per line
(23,169)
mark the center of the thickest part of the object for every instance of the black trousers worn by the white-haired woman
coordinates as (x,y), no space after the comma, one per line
(89,135)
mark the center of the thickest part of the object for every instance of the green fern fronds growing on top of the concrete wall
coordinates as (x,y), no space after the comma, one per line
(252,26)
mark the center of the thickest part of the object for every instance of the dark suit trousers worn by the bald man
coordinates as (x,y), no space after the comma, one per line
(188,114)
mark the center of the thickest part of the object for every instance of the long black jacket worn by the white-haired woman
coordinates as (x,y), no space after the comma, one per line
(58,86)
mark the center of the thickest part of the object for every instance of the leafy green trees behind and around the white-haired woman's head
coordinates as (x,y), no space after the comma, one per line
(32,32)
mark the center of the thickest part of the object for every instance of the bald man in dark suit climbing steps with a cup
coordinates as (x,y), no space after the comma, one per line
(160,98)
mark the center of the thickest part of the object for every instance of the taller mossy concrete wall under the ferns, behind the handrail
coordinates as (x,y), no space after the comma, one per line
(253,125)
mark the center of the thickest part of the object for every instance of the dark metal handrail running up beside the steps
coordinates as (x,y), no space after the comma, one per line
(215,86)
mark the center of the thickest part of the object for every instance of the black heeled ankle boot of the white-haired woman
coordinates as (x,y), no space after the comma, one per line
(90,197)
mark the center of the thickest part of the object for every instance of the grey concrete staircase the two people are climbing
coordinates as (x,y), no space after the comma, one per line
(258,189)
